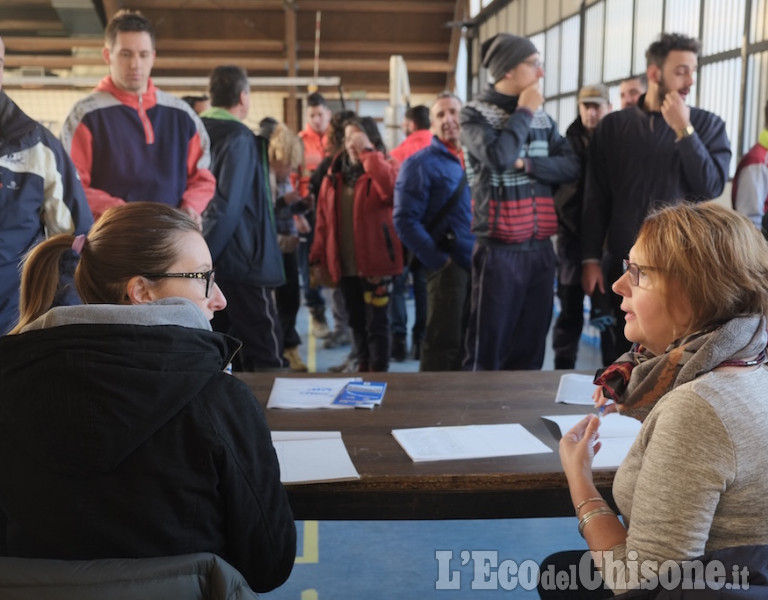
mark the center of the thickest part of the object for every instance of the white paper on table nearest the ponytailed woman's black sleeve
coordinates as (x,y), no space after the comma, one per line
(312,456)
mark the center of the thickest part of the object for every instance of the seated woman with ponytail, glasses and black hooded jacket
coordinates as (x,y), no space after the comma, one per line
(120,433)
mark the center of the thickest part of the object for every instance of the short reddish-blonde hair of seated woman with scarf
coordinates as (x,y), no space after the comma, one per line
(713,255)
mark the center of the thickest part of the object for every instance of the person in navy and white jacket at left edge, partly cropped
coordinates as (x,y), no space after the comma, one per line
(40,195)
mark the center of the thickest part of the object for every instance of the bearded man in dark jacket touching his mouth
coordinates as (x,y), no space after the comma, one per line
(656,153)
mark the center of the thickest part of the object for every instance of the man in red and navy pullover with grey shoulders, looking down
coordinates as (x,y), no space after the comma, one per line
(131,141)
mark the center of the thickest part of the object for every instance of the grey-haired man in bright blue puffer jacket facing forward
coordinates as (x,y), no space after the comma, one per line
(432,217)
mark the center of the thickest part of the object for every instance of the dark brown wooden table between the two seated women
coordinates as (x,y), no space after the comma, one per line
(392,486)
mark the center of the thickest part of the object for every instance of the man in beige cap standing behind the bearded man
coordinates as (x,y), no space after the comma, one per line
(594,104)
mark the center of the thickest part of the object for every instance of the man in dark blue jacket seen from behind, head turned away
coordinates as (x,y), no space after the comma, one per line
(239,225)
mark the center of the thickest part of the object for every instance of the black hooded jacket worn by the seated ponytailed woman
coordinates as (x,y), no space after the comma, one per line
(124,440)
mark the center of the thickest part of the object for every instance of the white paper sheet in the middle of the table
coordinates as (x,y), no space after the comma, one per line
(468,441)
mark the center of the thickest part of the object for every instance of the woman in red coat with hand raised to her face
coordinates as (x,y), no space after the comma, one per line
(355,243)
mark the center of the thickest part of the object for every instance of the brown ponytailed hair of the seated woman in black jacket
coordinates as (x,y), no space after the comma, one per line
(130,239)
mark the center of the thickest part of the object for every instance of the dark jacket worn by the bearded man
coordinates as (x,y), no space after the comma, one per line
(637,166)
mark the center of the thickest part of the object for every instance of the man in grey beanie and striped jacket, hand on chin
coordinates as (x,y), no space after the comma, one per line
(515,156)
